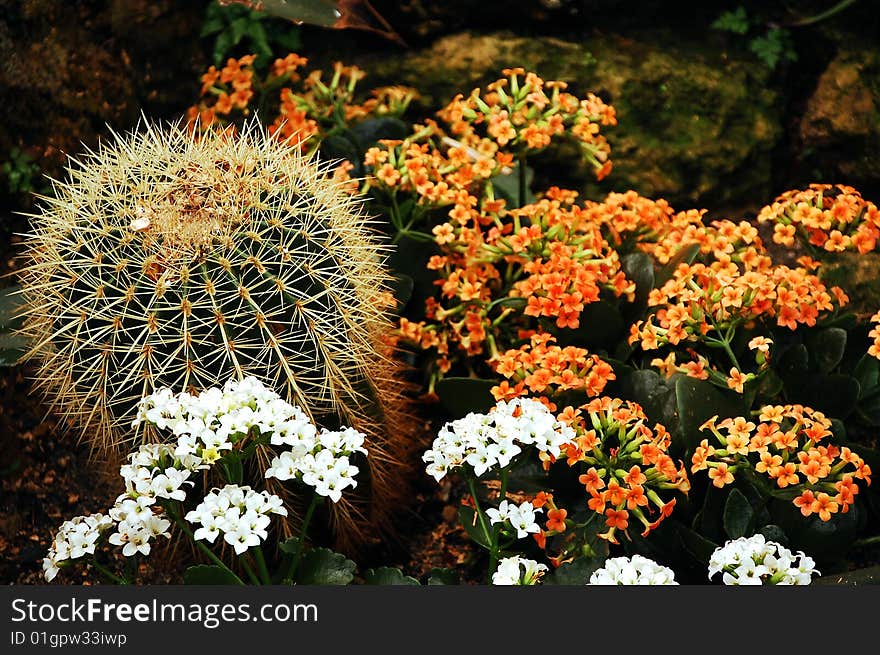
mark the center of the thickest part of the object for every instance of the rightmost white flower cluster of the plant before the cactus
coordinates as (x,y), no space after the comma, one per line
(319,460)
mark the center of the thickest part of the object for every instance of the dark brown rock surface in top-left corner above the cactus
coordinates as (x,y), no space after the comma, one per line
(70,68)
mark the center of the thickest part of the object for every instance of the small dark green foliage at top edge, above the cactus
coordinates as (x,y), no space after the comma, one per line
(234,25)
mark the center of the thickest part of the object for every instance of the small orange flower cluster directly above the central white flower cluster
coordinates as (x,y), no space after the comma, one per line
(542,368)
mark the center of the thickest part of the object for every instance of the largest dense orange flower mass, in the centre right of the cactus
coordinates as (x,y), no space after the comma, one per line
(503,274)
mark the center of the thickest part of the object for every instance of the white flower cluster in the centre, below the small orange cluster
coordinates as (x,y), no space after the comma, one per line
(494,439)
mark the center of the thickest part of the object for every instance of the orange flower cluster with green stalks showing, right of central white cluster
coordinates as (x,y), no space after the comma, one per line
(624,464)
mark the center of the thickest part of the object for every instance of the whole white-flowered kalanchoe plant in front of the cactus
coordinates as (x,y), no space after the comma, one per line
(220,432)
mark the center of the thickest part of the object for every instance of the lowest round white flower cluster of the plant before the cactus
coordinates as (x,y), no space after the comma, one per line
(240,513)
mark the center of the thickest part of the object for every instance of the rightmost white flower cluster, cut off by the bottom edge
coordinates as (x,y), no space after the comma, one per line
(756,561)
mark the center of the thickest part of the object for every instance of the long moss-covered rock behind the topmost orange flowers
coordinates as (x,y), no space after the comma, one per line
(694,125)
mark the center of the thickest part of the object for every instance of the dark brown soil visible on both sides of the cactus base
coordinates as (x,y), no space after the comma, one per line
(46,478)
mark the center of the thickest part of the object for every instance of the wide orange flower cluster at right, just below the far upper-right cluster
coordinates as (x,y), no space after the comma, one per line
(700,298)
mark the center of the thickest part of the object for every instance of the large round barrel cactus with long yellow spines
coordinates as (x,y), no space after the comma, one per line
(165,260)
